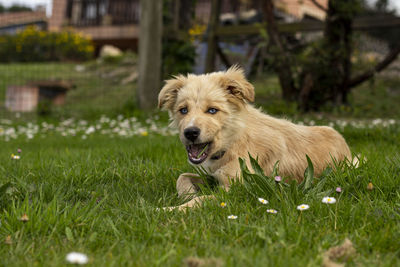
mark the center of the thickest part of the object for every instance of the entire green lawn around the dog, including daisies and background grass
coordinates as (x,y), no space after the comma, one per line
(93,183)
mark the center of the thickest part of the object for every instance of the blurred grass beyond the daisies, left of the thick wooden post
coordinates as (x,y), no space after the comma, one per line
(98,88)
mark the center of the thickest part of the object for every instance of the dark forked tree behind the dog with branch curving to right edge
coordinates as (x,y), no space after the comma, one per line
(324,72)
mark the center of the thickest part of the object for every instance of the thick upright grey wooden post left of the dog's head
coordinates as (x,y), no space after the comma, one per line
(149,53)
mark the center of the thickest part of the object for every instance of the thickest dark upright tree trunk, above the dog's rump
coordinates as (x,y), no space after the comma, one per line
(331,71)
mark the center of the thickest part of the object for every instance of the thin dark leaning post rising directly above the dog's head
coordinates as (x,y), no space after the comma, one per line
(212,37)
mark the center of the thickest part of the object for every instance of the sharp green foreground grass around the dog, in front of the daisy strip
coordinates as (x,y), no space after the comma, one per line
(98,196)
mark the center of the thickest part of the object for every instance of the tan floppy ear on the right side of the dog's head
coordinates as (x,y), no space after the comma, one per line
(236,83)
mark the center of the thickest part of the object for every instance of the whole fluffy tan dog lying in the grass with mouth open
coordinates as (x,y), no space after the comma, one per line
(218,125)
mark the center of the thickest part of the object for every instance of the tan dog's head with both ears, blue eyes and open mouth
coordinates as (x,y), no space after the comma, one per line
(203,107)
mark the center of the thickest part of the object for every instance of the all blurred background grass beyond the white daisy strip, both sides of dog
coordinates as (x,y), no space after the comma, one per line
(99,90)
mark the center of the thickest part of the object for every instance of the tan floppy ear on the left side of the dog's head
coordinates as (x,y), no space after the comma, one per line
(168,94)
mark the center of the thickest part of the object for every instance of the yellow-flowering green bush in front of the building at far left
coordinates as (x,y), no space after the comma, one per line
(33,45)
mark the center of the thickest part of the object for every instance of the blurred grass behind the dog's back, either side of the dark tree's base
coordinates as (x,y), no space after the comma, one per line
(372,99)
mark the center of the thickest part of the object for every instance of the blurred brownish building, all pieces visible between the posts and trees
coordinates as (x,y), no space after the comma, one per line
(116,21)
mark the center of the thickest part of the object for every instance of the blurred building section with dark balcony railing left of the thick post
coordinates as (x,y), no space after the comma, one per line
(106,22)
